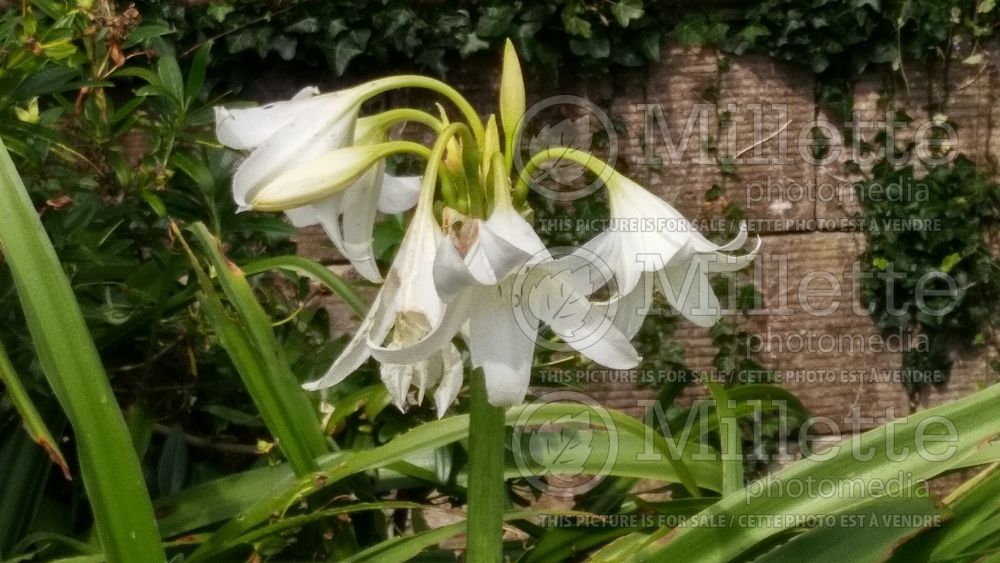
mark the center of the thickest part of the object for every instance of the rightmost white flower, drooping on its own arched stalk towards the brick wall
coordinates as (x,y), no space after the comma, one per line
(661,247)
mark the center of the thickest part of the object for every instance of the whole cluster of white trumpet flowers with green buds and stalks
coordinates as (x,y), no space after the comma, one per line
(468,253)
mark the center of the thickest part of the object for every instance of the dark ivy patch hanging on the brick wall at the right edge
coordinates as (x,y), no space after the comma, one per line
(928,272)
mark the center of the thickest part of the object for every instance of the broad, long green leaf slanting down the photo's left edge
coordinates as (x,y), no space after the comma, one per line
(123,513)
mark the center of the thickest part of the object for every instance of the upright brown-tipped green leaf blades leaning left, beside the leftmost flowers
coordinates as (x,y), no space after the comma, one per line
(251,344)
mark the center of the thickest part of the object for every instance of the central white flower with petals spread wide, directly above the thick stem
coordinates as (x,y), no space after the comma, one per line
(476,271)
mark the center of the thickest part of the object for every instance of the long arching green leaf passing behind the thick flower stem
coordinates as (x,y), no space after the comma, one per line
(432,435)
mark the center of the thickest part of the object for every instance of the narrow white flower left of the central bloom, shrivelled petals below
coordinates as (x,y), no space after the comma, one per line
(403,312)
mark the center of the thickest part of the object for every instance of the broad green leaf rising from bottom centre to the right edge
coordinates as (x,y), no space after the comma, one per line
(974,419)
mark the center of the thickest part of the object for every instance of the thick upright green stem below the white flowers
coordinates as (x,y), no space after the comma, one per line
(487,489)
